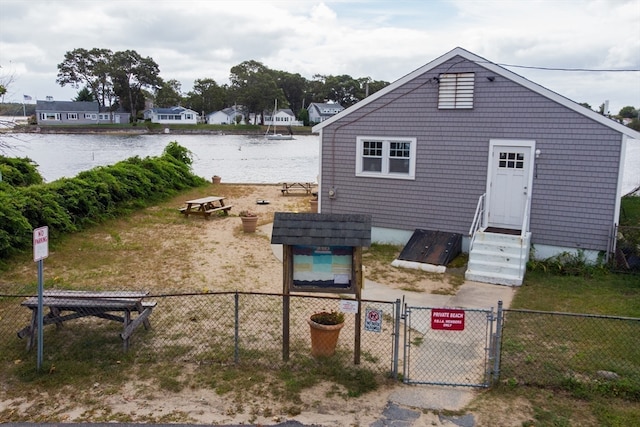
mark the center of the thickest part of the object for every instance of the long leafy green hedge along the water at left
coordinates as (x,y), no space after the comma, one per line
(71,204)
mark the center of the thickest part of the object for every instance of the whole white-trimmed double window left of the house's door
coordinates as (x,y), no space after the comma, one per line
(386,157)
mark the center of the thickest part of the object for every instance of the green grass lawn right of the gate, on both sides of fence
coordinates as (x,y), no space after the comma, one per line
(588,290)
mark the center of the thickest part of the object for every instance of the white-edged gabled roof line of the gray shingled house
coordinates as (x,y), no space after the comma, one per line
(499,71)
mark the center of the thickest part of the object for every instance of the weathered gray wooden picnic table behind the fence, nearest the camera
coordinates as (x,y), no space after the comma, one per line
(65,305)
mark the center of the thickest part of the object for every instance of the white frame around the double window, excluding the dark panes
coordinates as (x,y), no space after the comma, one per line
(386,150)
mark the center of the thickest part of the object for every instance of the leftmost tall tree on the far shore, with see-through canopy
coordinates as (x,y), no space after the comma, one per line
(91,68)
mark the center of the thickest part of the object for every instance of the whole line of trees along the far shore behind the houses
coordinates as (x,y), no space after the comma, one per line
(126,79)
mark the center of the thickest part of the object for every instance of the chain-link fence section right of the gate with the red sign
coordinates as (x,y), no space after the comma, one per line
(571,351)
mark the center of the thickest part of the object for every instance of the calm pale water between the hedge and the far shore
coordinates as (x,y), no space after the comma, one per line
(236,158)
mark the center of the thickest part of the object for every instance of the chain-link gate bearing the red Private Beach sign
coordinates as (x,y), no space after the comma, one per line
(447,346)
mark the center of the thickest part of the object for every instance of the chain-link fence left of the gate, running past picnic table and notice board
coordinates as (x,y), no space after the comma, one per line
(209,328)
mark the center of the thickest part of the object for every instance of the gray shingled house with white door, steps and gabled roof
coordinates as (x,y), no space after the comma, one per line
(464,146)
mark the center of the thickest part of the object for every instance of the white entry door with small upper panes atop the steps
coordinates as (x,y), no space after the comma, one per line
(509,185)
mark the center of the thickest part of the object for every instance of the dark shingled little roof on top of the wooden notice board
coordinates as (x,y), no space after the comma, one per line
(321,229)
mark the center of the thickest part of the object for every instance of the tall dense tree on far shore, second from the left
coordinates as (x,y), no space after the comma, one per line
(131,74)
